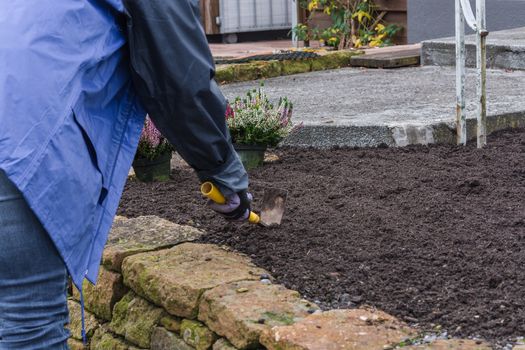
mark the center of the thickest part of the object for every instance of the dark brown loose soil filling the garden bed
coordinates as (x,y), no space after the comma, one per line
(434,235)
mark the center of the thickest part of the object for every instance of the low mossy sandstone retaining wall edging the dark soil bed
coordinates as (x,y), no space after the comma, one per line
(157,290)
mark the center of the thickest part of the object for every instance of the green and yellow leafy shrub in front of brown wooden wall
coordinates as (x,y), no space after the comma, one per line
(355,23)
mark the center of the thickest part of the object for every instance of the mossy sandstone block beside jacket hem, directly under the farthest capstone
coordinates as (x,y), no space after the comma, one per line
(101,298)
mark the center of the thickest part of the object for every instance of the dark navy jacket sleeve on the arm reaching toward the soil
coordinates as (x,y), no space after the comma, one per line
(173,70)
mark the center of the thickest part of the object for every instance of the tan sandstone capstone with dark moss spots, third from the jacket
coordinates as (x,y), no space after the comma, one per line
(242,317)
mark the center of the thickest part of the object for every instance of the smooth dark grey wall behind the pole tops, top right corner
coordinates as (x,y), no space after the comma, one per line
(430,19)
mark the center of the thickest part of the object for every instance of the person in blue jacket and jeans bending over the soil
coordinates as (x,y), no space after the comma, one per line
(76,80)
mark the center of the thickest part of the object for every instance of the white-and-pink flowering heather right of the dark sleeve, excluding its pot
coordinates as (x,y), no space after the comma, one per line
(254,120)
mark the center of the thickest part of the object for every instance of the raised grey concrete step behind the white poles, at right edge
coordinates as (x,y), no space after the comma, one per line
(505,50)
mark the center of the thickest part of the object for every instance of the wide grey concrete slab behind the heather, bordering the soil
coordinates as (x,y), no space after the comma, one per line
(366,107)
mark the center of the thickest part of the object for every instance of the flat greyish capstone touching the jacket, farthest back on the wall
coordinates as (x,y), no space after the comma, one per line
(143,234)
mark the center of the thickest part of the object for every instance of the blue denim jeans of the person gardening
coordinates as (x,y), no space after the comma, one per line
(33,279)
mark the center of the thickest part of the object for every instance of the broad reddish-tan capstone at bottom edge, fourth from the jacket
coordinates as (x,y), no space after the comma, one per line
(339,329)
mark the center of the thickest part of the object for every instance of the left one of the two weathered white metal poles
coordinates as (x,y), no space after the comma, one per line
(461,127)
